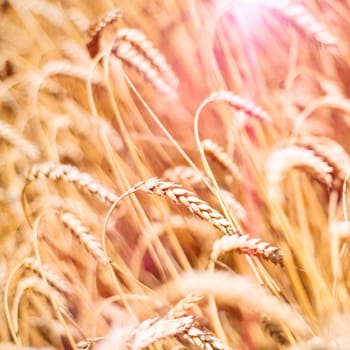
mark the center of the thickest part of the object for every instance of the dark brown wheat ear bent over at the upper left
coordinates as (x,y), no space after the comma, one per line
(95,30)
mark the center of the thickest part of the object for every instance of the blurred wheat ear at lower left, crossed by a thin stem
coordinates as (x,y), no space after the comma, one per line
(56,281)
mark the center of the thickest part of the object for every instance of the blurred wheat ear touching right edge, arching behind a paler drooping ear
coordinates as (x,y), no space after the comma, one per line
(331,152)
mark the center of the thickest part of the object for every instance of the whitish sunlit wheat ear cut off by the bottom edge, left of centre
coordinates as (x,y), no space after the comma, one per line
(153,330)
